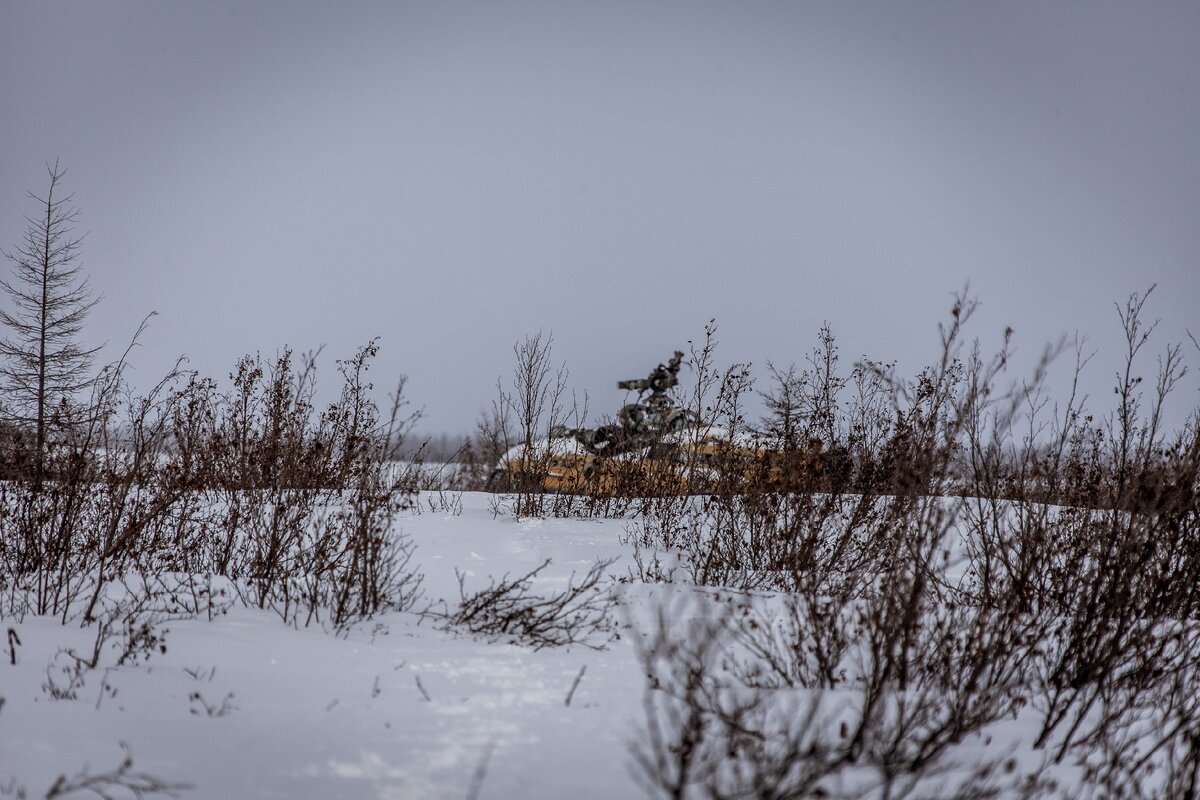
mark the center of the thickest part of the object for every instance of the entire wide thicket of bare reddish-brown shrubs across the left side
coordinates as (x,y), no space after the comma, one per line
(297,509)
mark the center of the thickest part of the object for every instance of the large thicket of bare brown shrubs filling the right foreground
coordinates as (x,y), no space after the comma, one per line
(921,588)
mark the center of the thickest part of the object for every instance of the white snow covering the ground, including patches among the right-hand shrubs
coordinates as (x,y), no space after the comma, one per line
(406,706)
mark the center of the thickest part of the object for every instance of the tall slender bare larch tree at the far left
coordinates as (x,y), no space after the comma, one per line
(43,364)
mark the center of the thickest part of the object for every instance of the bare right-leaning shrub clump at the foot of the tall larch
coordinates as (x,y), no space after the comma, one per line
(106,491)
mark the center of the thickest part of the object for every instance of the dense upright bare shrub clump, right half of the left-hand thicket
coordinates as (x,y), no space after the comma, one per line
(309,525)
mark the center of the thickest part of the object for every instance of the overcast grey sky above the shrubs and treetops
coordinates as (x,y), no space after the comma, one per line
(452,177)
